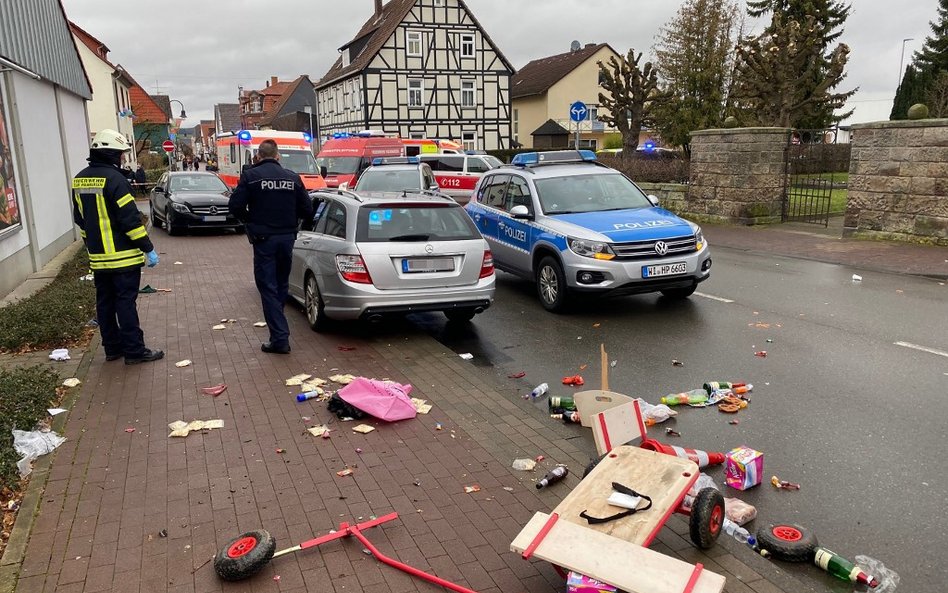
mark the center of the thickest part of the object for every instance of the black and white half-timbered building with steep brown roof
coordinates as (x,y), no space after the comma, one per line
(420,69)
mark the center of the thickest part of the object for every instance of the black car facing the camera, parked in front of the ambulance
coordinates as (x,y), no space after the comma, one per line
(184,200)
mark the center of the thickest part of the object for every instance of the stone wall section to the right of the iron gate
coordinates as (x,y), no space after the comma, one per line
(898,181)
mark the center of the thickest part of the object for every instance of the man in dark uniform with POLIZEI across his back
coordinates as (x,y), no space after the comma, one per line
(270,201)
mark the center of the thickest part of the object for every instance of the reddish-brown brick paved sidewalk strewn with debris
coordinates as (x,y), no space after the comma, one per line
(110,492)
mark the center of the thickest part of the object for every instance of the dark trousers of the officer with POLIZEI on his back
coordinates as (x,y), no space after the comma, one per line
(272,258)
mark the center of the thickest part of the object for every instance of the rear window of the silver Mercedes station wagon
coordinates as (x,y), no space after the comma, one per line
(415,222)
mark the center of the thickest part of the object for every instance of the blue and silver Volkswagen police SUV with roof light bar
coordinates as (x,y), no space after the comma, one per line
(570,224)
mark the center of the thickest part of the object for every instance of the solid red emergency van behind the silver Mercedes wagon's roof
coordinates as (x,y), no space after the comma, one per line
(345,156)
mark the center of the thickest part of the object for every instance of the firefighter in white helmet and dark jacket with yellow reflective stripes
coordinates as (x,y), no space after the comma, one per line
(111,227)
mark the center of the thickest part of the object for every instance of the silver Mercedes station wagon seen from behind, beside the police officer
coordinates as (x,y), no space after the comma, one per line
(364,256)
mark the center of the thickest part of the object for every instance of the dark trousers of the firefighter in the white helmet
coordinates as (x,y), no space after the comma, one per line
(115,296)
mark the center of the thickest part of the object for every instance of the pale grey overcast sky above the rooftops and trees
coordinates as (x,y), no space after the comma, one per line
(199,52)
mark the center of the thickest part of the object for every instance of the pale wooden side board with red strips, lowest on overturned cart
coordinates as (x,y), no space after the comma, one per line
(627,566)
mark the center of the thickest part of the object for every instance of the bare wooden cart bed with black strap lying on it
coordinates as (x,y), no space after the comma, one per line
(662,477)
